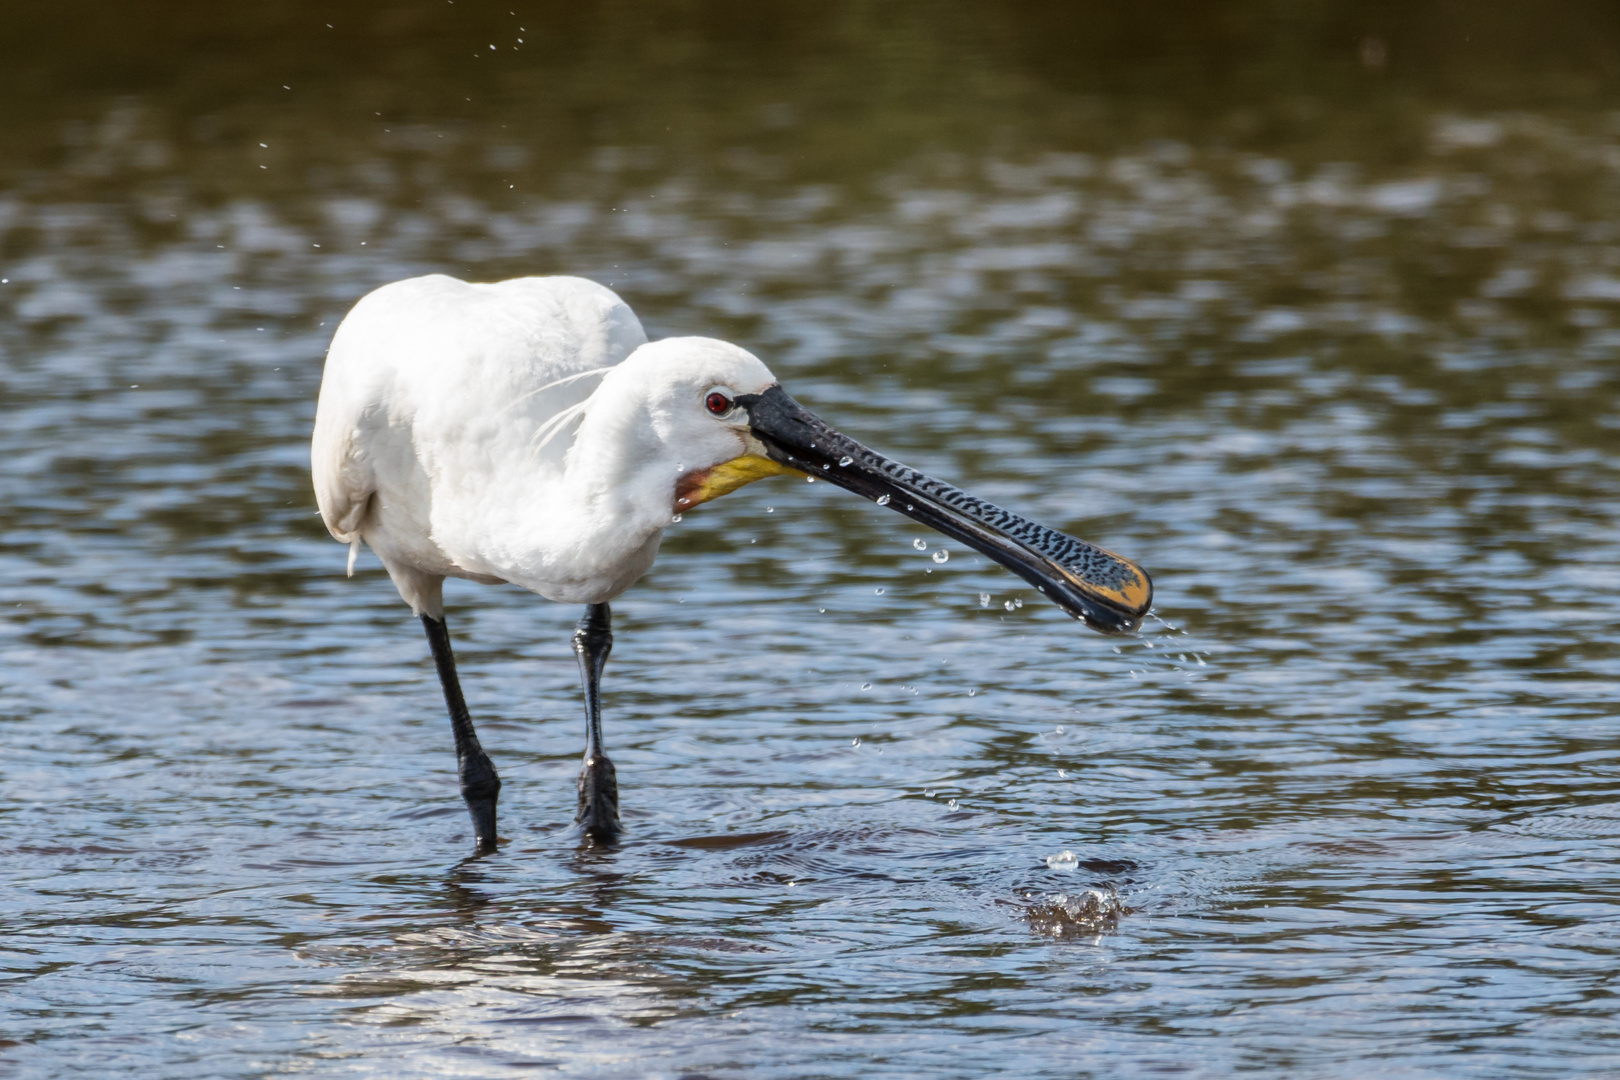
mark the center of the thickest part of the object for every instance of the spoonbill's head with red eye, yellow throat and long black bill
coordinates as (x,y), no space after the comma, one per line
(715,419)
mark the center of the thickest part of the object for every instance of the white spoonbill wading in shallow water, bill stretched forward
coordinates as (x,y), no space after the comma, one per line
(527,432)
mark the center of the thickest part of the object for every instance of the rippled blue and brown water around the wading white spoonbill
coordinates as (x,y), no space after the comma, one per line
(1347,386)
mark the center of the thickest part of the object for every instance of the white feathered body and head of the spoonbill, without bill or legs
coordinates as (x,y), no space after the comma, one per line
(521,432)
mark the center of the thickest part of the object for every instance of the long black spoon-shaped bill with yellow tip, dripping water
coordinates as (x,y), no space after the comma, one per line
(1099,587)
